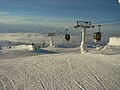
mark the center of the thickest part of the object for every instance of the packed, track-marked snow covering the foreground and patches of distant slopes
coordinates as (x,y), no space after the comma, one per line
(59,68)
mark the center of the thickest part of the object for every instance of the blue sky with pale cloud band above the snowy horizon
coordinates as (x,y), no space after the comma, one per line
(55,15)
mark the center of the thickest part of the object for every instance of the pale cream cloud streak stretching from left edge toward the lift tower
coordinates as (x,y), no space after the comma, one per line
(9,18)
